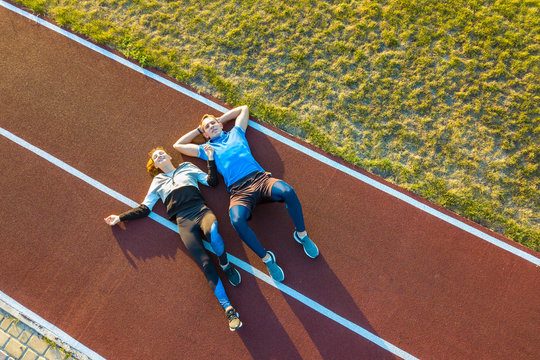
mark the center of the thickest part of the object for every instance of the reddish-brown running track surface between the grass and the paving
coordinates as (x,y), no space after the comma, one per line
(401,274)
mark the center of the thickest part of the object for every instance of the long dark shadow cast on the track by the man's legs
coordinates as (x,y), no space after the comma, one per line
(315,279)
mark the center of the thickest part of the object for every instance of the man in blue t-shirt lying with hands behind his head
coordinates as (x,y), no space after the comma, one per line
(247,182)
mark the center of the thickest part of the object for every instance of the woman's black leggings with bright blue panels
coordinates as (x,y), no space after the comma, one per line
(190,233)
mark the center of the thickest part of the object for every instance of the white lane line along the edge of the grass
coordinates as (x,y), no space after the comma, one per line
(457,223)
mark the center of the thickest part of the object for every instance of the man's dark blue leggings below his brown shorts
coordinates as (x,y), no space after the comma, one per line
(281,191)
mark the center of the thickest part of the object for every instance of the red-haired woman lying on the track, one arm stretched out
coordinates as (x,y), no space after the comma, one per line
(178,189)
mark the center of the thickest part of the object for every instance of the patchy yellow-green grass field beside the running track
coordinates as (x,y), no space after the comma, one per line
(438,97)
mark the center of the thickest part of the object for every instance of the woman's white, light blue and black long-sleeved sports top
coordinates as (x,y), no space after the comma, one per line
(178,190)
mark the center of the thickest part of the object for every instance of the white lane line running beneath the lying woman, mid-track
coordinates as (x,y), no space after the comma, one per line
(241,264)
